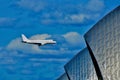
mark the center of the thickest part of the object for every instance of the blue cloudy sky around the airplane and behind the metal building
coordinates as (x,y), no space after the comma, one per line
(65,21)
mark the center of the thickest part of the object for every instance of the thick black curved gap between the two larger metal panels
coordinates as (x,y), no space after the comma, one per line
(97,69)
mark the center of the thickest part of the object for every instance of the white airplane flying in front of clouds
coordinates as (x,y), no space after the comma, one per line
(37,42)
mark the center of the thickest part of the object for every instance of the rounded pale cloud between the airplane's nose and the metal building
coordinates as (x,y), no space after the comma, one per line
(74,38)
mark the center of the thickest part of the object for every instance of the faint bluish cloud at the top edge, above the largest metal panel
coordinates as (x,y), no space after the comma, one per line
(95,5)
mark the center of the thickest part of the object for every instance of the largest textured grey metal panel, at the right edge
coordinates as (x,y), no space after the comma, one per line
(104,40)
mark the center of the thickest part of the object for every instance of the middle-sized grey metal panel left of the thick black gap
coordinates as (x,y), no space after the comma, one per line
(81,67)
